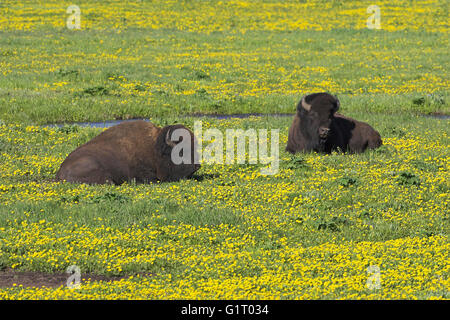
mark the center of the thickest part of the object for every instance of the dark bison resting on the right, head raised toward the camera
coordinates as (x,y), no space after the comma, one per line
(316,127)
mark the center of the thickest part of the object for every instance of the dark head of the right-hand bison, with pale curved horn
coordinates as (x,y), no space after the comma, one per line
(316,112)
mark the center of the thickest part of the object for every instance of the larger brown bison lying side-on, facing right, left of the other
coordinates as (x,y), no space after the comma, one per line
(136,150)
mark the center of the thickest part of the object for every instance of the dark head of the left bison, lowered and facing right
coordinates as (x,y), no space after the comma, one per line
(177,146)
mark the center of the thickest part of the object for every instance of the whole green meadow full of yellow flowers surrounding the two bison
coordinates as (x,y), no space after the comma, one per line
(312,231)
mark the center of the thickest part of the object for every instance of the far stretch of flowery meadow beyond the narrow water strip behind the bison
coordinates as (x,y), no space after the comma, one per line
(133,60)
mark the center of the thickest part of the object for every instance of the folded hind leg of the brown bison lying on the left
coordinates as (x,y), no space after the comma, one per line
(85,170)
